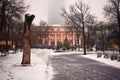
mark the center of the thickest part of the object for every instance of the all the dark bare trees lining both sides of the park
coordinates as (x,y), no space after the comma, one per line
(79,17)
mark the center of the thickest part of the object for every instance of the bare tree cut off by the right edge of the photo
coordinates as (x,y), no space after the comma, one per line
(112,12)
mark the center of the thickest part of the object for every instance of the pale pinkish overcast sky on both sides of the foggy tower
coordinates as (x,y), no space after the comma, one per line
(40,8)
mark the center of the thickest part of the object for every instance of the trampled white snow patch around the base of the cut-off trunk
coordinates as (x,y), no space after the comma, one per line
(11,69)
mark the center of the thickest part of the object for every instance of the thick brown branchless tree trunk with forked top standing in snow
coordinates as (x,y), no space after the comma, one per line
(26,42)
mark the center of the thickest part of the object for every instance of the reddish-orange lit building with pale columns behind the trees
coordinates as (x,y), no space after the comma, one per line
(55,34)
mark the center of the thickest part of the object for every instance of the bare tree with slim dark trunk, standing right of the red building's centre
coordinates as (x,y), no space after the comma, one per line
(78,15)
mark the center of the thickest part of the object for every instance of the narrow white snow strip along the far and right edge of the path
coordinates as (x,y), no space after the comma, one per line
(92,55)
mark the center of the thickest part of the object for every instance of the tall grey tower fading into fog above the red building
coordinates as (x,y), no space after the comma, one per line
(54,10)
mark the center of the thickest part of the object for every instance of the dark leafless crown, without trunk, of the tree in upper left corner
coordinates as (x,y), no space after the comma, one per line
(11,11)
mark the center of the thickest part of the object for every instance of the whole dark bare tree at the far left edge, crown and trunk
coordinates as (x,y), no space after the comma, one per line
(10,12)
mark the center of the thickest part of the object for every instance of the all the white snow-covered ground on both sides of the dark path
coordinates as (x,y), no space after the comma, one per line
(11,68)
